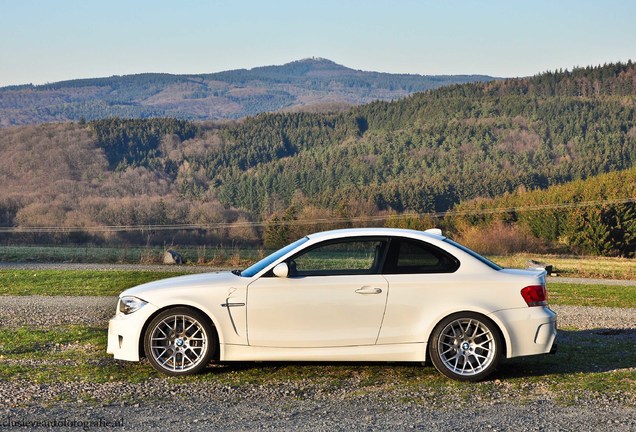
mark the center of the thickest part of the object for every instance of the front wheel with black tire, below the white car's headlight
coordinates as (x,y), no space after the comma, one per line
(179,341)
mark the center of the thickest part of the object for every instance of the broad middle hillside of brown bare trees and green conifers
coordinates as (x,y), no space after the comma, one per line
(424,153)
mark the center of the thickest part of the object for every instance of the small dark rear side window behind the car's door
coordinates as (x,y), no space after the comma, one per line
(412,256)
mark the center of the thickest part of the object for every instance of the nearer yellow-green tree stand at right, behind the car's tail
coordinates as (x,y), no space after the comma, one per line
(595,216)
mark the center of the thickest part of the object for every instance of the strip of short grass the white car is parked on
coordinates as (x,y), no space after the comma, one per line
(71,354)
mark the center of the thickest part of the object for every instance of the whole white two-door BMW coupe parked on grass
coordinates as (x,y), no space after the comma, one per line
(371,294)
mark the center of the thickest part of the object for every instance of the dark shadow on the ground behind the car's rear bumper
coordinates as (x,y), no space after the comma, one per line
(578,351)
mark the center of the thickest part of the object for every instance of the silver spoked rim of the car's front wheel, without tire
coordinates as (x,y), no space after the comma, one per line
(179,343)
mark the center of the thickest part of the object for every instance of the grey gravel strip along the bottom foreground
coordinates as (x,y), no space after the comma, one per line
(218,409)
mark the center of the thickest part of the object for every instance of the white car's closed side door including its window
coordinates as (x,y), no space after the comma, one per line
(334,296)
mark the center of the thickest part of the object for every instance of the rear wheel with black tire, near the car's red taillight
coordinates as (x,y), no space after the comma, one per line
(465,346)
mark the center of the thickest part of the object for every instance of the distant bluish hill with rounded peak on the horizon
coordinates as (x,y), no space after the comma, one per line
(310,84)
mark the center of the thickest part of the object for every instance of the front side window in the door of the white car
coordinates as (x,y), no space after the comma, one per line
(358,256)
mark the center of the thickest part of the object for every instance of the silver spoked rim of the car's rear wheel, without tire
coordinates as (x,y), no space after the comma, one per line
(466,347)
